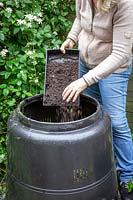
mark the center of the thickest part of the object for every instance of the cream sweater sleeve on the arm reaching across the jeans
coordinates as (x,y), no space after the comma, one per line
(121,47)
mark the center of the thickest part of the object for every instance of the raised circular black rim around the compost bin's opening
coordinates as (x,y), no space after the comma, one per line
(57,126)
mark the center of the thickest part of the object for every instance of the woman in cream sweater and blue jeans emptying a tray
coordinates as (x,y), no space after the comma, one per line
(103,31)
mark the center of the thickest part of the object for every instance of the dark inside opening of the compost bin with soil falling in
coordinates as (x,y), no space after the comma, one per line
(55,114)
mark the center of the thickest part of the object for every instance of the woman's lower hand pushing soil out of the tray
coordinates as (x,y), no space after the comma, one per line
(72,91)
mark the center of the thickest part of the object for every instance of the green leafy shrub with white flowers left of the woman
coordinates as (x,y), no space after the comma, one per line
(27,29)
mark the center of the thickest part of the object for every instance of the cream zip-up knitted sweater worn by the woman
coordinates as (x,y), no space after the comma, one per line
(104,39)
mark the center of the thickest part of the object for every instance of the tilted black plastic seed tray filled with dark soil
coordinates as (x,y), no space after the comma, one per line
(60,71)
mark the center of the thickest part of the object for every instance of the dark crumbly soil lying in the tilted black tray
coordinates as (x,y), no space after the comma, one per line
(58,76)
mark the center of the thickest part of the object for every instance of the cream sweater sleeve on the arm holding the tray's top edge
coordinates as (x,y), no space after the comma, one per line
(76,28)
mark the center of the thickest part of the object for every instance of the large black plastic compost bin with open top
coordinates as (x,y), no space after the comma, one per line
(60,160)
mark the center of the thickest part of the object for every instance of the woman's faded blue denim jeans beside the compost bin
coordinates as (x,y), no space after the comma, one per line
(111,93)
